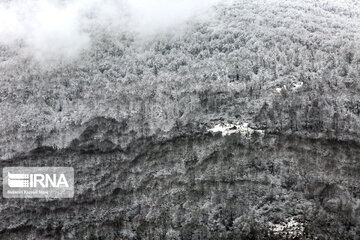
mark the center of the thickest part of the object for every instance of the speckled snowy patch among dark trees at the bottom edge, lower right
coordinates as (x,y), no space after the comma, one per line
(291,228)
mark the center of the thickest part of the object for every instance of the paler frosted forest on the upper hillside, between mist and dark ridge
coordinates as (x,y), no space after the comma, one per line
(242,63)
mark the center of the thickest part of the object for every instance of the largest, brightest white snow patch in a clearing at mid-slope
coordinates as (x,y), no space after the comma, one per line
(228,129)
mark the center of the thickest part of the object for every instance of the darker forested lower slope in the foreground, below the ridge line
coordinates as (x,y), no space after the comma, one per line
(196,185)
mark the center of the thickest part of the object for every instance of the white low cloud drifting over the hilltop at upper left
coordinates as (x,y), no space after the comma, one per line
(60,28)
